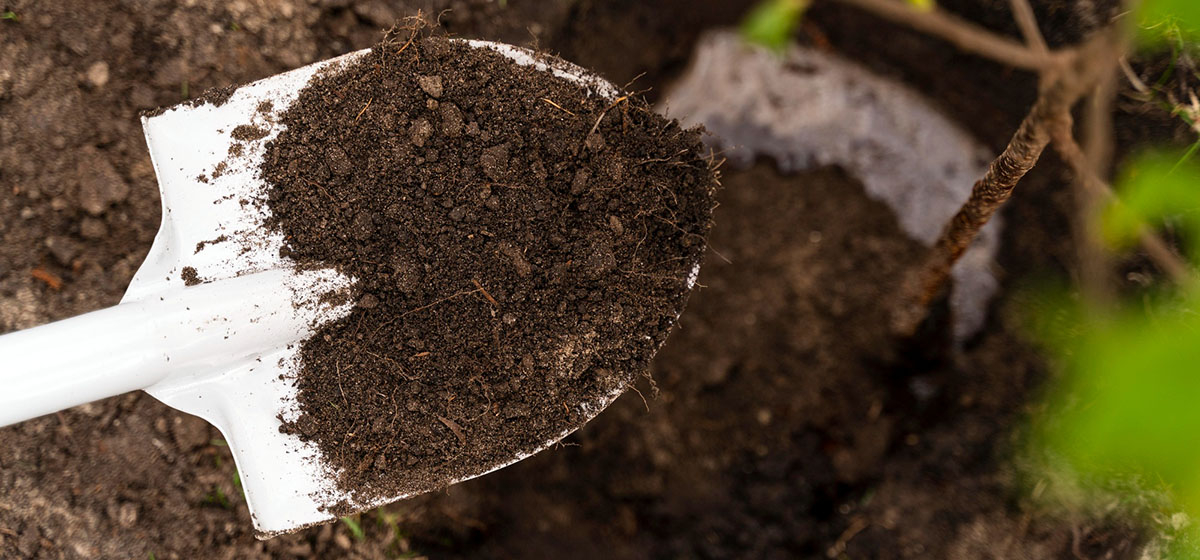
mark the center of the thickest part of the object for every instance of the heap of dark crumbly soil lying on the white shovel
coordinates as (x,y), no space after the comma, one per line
(521,250)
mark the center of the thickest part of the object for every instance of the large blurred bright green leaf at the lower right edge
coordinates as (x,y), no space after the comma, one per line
(1133,402)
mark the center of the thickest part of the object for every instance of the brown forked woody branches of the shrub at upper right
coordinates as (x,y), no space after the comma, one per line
(1066,76)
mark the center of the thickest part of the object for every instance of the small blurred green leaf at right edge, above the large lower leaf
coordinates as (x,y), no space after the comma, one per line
(1155,186)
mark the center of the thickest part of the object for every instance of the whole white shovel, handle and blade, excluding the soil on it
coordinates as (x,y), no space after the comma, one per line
(221,350)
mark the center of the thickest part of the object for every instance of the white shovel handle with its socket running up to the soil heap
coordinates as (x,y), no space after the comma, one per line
(173,338)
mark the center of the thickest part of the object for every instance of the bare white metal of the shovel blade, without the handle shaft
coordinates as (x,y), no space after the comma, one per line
(255,308)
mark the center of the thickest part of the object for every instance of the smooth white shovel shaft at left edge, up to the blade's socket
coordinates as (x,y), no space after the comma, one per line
(79,360)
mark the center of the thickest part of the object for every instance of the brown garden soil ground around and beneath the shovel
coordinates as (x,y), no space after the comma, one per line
(776,433)
